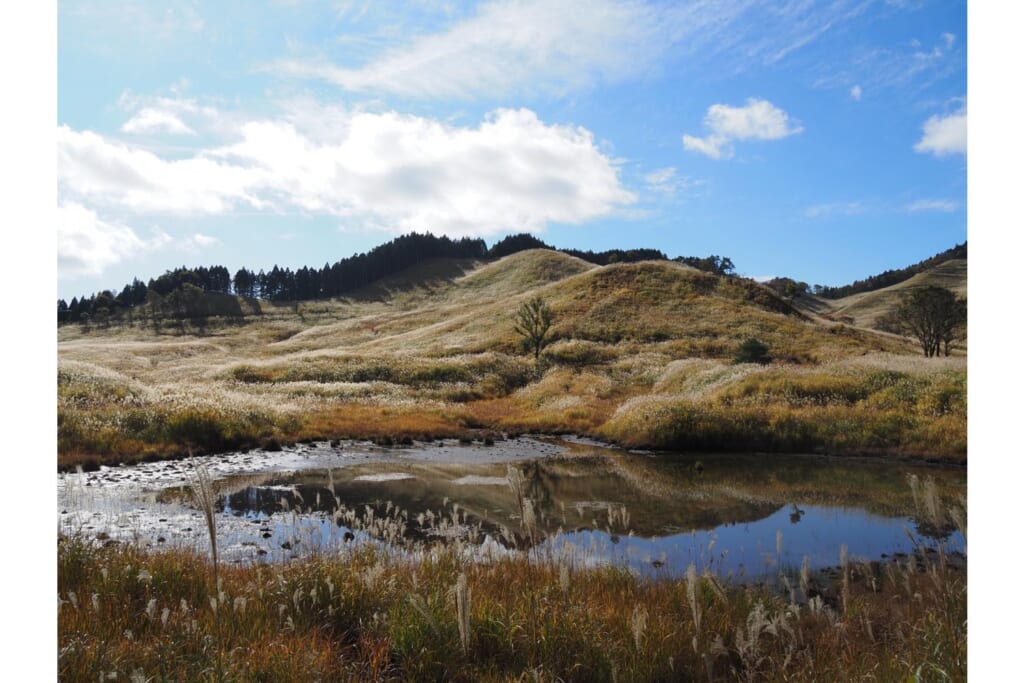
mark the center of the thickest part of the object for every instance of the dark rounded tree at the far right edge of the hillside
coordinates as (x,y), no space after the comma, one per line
(935,317)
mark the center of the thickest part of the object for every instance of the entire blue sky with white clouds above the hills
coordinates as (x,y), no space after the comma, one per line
(821,141)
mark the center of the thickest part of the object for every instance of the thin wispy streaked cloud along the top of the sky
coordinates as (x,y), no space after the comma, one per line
(552,47)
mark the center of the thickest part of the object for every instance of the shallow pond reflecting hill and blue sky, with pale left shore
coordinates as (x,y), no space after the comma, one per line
(745,517)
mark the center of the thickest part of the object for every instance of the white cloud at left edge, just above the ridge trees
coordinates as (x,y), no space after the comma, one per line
(88,245)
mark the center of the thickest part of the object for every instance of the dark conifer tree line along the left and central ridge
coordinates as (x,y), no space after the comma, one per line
(179,293)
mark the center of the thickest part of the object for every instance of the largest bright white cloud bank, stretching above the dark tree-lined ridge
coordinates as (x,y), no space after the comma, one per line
(402,174)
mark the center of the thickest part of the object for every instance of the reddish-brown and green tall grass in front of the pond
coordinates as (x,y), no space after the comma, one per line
(365,615)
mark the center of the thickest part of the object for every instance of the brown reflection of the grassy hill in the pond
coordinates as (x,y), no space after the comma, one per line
(590,488)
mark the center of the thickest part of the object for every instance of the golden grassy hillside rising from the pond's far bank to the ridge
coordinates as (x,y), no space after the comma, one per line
(641,354)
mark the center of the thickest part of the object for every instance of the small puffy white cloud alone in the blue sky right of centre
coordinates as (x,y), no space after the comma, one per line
(758,120)
